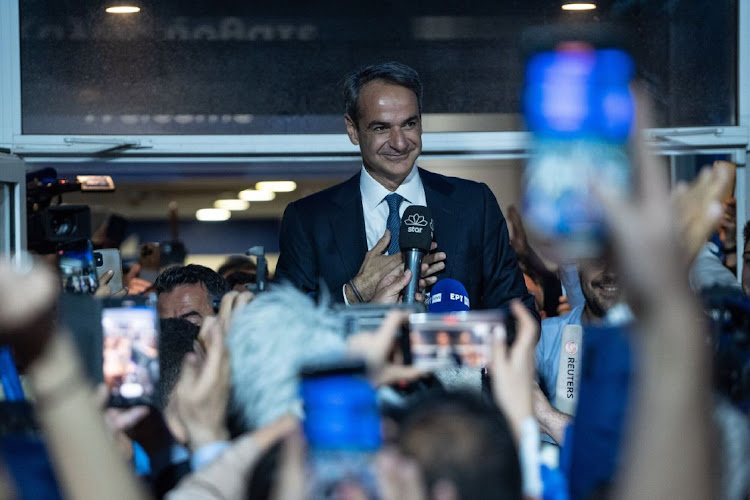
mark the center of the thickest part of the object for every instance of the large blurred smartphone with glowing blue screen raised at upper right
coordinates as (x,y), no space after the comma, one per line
(579,108)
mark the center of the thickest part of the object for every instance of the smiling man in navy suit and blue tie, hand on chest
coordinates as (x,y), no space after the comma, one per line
(342,236)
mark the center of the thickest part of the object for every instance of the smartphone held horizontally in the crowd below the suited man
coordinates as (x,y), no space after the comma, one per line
(459,339)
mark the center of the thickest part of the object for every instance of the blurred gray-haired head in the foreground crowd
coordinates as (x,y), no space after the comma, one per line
(270,339)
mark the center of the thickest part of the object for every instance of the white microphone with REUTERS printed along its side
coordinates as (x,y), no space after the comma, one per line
(569,371)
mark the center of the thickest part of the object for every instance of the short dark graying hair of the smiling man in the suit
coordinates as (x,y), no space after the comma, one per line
(392,72)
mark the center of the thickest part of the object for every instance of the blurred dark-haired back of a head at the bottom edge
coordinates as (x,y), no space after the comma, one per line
(462,439)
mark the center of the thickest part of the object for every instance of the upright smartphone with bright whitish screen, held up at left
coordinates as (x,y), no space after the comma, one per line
(131,351)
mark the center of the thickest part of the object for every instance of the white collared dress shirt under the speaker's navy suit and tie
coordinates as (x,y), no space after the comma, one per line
(375,208)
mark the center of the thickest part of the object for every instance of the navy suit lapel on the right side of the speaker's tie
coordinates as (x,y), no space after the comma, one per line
(446,212)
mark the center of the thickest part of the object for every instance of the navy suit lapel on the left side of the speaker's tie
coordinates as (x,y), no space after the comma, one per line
(348,225)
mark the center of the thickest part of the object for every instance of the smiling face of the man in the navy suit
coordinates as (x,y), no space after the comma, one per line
(388,132)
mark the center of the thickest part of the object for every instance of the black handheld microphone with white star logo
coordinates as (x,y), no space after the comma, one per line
(415,238)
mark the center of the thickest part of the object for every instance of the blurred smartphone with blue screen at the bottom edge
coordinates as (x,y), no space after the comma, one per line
(342,427)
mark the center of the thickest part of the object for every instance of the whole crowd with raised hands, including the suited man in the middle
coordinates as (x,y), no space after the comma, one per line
(629,343)
